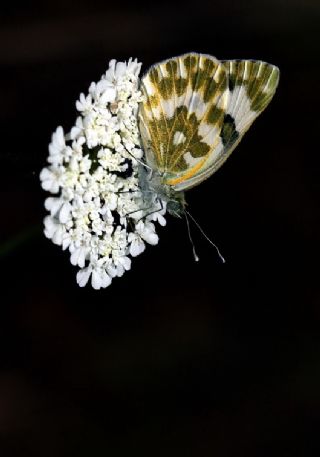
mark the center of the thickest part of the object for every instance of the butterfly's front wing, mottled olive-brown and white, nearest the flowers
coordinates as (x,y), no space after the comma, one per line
(181,117)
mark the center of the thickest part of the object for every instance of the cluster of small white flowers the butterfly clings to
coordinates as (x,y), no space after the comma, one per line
(98,211)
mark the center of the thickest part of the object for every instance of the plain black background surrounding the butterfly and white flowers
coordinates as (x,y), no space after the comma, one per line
(175,358)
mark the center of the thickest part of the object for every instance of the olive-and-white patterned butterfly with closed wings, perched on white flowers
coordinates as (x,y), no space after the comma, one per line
(195,111)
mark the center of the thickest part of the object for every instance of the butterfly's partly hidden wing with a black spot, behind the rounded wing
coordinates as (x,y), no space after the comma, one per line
(251,86)
